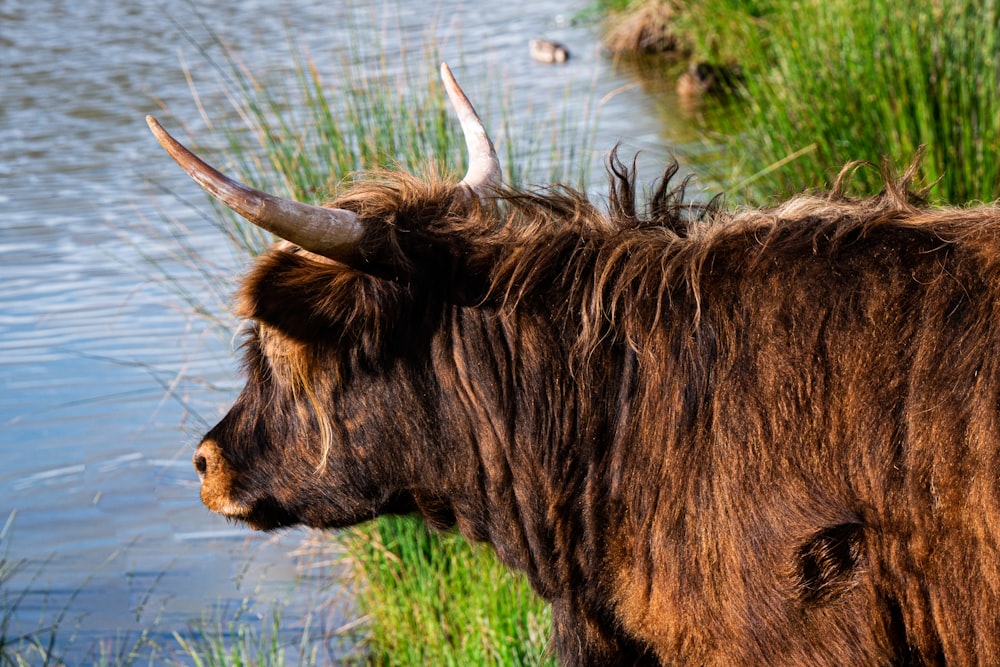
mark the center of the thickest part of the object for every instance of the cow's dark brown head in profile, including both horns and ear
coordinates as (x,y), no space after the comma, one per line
(323,431)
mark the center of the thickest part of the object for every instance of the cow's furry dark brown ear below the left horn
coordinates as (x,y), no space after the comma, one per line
(314,300)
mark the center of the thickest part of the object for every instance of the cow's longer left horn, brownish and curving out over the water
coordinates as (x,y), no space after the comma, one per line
(330,232)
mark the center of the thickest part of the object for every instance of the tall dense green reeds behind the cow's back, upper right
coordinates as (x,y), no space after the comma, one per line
(831,81)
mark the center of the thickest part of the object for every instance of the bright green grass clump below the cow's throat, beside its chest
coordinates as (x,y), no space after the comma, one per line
(431,599)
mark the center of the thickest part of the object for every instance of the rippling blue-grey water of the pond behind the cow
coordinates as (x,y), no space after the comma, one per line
(105,381)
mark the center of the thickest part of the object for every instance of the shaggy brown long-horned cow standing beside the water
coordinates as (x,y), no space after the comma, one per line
(768,437)
